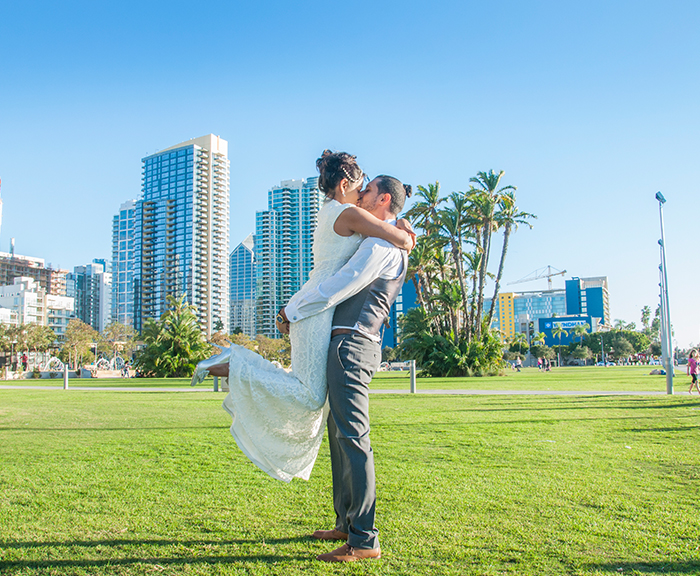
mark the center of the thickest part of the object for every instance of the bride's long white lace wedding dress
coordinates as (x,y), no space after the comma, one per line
(279,416)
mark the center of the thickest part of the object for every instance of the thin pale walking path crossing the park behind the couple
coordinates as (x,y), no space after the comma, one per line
(398,391)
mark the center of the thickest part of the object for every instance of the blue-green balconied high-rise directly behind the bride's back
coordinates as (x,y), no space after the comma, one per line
(283,247)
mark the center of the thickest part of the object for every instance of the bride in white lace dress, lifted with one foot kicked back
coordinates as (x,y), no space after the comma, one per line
(279,416)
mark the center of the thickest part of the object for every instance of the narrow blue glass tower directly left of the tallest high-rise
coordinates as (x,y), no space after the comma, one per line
(123,227)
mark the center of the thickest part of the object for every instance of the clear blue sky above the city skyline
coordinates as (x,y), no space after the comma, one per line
(590,108)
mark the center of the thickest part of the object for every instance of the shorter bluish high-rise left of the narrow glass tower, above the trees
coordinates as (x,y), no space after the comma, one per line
(91,288)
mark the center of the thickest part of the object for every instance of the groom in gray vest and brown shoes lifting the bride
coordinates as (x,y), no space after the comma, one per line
(363,290)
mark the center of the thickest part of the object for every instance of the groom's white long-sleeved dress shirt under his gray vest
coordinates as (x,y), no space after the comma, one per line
(375,258)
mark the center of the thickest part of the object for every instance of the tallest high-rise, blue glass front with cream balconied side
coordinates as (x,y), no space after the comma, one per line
(181,232)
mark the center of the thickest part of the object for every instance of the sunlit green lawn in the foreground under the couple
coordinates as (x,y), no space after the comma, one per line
(109,483)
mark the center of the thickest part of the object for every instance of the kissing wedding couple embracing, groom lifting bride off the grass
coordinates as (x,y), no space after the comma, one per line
(334,322)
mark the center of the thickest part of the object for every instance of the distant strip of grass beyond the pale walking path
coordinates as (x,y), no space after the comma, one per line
(585,379)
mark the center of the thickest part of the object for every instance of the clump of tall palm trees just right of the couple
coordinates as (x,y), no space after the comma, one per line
(449,269)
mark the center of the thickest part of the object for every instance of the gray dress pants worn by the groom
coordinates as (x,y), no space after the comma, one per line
(352,361)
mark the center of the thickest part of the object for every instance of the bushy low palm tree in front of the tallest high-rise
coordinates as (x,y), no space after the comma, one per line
(174,344)
